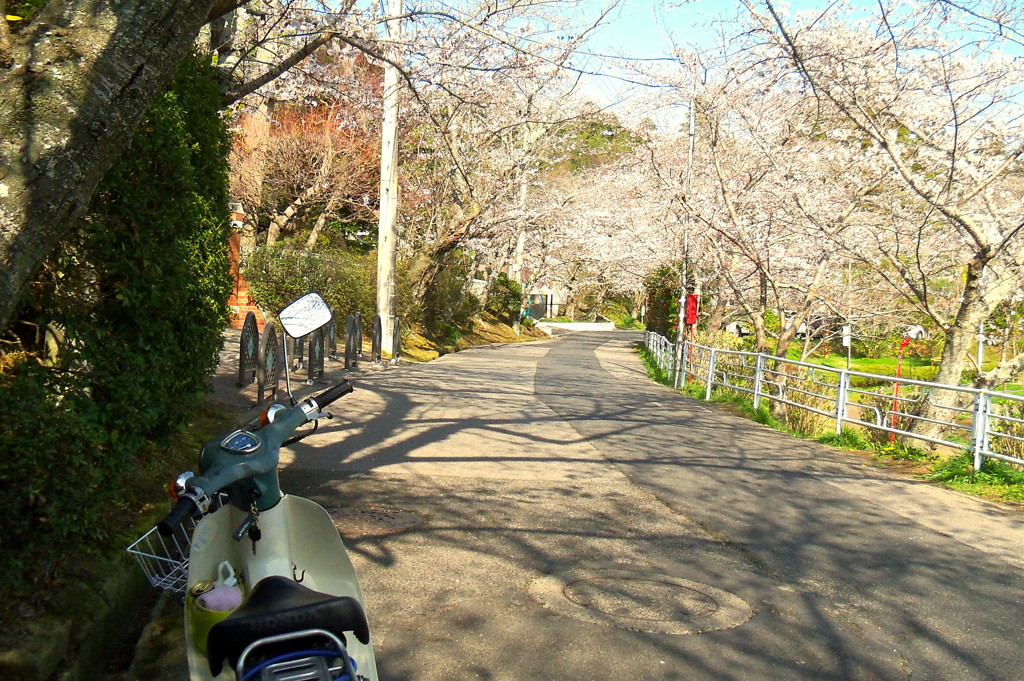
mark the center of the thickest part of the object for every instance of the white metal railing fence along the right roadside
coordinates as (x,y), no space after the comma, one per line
(985,422)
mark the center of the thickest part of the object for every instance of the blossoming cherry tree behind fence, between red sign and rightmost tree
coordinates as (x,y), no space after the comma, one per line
(770,182)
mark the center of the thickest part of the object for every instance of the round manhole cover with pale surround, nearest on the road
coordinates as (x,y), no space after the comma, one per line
(641,602)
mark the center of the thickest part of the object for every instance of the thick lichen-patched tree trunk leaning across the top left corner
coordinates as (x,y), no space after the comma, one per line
(74,84)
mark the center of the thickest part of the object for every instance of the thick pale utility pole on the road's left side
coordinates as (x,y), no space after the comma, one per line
(388,230)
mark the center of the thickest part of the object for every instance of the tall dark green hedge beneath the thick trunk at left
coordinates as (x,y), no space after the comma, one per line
(140,292)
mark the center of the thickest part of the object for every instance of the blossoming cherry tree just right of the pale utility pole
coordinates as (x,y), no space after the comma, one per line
(473,165)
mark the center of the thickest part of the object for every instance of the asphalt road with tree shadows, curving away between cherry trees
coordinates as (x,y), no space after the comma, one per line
(579,522)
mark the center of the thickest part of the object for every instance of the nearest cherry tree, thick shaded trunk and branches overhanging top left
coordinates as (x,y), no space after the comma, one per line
(78,75)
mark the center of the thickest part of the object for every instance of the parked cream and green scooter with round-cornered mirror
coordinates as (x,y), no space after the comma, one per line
(302,614)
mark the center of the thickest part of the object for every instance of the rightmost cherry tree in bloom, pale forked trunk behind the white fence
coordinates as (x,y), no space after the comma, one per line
(946,115)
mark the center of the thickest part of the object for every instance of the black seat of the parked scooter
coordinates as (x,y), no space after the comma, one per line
(280,606)
